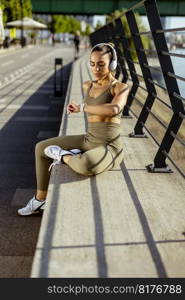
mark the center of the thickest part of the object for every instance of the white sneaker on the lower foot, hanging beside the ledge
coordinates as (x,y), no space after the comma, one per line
(33,207)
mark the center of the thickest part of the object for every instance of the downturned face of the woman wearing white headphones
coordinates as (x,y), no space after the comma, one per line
(99,64)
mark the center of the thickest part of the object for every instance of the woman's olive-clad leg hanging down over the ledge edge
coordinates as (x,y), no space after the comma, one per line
(42,162)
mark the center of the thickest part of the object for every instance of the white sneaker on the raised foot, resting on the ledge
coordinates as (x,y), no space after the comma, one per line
(56,152)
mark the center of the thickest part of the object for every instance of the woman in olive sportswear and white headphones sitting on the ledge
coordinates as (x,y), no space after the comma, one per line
(100,149)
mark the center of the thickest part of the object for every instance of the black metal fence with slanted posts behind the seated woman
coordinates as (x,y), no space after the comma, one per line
(115,32)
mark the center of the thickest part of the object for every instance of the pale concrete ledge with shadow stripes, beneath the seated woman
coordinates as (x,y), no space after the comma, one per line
(121,223)
